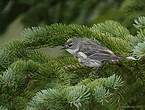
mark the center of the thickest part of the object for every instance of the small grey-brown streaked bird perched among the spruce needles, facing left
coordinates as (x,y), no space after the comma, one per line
(90,53)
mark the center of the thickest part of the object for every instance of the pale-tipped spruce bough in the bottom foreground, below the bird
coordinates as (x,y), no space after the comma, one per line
(75,97)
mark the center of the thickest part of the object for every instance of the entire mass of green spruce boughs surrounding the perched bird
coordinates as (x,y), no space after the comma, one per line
(31,80)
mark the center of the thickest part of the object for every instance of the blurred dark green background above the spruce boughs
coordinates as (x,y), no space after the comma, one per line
(15,15)
